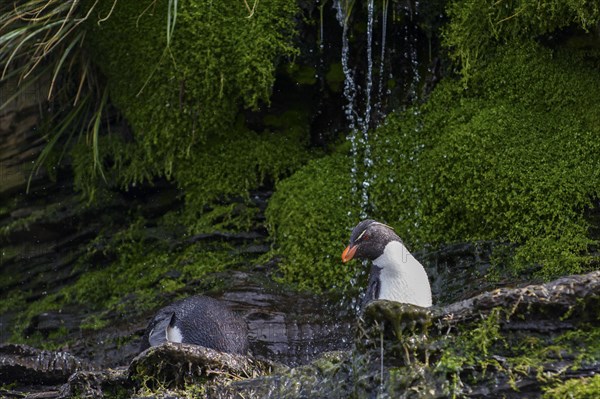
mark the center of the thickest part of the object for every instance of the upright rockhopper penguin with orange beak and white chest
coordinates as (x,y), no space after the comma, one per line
(395,274)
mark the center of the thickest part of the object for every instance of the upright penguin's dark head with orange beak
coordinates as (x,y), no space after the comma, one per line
(368,240)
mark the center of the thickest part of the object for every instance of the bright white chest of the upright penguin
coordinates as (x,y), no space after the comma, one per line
(402,278)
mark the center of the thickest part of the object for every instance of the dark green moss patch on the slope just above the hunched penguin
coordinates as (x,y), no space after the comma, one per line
(141,269)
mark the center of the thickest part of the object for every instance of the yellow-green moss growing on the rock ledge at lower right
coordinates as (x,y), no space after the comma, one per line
(477,351)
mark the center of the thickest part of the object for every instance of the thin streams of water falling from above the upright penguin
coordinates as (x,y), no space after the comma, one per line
(362,115)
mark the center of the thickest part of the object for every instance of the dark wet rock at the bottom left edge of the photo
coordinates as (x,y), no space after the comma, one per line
(27,365)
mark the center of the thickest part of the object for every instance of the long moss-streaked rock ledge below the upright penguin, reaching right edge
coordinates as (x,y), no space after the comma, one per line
(509,342)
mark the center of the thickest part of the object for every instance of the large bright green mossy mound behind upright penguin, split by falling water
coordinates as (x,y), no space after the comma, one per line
(512,159)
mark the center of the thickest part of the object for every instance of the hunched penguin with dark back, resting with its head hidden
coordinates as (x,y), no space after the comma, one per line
(198,320)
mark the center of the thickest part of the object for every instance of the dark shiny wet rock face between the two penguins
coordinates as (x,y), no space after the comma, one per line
(286,326)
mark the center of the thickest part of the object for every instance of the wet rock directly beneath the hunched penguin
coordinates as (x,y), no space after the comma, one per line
(175,365)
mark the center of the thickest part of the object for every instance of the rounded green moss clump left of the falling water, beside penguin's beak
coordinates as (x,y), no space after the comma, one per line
(309,218)
